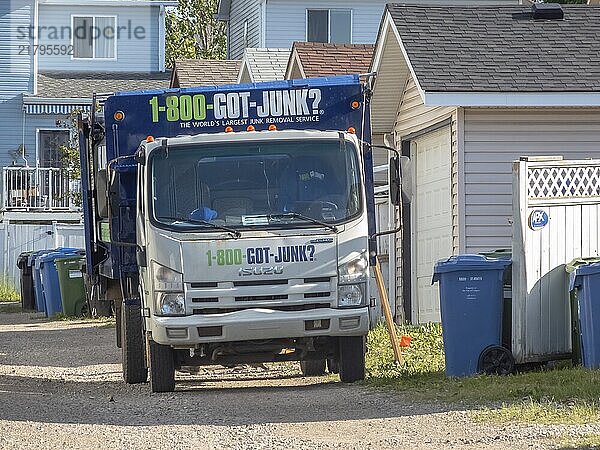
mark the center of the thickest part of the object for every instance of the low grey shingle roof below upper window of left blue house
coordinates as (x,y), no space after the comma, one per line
(84,85)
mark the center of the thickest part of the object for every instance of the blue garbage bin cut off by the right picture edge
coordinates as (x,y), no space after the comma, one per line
(586,279)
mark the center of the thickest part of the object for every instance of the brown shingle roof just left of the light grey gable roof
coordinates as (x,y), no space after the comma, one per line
(203,72)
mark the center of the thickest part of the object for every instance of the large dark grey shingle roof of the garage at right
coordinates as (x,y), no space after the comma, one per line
(501,48)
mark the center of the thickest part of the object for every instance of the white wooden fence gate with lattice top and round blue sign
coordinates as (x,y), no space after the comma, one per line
(556,219)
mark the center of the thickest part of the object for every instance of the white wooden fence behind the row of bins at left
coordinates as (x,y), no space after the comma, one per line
(16,238)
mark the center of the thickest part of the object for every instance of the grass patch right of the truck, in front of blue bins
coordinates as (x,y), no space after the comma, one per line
(565,395)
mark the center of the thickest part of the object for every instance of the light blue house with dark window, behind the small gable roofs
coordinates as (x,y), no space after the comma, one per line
(279,23)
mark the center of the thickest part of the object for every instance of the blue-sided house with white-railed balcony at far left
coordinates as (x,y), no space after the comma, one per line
(54,54)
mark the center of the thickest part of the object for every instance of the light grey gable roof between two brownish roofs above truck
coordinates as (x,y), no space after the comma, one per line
(264,64)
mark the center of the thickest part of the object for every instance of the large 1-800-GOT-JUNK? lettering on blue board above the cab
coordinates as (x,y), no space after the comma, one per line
(237,105)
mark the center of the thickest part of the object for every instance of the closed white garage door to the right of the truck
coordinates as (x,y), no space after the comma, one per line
(432,223)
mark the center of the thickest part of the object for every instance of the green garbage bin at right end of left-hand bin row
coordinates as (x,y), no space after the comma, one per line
(72,289)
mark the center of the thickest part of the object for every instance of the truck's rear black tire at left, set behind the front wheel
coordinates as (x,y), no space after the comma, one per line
(132,345)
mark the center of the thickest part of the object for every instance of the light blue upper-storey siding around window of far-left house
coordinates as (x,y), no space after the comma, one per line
(133,55)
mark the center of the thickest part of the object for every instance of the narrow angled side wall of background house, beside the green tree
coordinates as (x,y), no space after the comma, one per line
(242,10)
